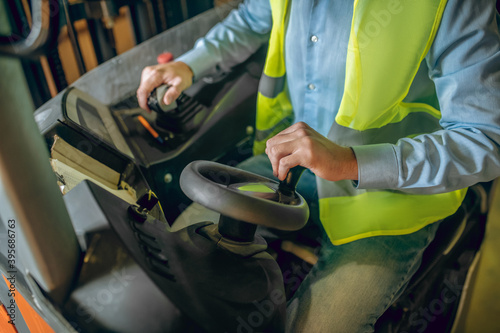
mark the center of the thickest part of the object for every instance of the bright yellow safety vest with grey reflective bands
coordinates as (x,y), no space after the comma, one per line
(381,64)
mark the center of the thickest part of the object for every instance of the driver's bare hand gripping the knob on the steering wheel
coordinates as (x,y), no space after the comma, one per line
(299,144)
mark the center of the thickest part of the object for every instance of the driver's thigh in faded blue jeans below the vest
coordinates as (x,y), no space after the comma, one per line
(353,284)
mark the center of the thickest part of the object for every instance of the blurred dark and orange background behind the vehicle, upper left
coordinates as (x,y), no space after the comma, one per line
(88,33)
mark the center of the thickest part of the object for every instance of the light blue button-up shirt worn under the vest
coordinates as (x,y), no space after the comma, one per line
(462,68)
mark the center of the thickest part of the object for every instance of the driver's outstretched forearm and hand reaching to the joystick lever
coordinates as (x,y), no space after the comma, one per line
(227,44)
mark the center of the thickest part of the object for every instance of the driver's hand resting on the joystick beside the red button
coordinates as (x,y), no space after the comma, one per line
(176,74)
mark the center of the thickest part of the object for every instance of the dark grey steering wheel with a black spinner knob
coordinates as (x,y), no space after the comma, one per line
(245,196)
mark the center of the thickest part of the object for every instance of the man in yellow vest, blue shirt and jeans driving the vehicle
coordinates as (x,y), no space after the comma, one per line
(396,111)
